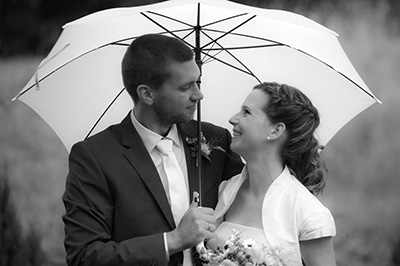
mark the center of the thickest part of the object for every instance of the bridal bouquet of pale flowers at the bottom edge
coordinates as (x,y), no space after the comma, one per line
(238,252)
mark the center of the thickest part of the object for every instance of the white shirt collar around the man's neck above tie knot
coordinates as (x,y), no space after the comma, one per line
(150,138)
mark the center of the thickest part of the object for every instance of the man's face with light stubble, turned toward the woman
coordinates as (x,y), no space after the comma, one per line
(176,100)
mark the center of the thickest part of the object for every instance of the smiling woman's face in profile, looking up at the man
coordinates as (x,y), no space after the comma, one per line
(251,126)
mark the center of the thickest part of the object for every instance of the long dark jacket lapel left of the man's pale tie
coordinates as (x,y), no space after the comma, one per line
(141,161)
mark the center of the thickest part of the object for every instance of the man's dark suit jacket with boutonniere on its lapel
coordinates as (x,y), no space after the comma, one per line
(116,207)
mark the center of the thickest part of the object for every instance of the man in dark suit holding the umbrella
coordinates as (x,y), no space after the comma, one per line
(117,198)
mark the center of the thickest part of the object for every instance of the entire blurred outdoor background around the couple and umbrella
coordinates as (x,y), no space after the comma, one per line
(363,158)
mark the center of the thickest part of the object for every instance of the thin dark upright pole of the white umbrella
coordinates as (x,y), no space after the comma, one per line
(197,52)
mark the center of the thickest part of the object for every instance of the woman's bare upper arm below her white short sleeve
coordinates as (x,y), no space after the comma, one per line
(318,252)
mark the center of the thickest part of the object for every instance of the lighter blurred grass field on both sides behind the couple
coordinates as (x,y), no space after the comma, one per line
(363,158)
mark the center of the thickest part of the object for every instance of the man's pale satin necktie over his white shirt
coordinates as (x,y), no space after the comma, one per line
(176,183)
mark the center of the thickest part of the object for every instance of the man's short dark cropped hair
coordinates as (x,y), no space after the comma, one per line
(147,59)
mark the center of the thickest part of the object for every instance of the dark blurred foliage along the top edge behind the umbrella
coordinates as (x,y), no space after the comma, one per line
(32,27)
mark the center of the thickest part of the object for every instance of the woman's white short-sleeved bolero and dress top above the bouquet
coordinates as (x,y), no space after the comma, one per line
(290,214)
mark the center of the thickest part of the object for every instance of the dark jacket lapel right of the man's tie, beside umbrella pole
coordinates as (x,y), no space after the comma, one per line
(190,130)
